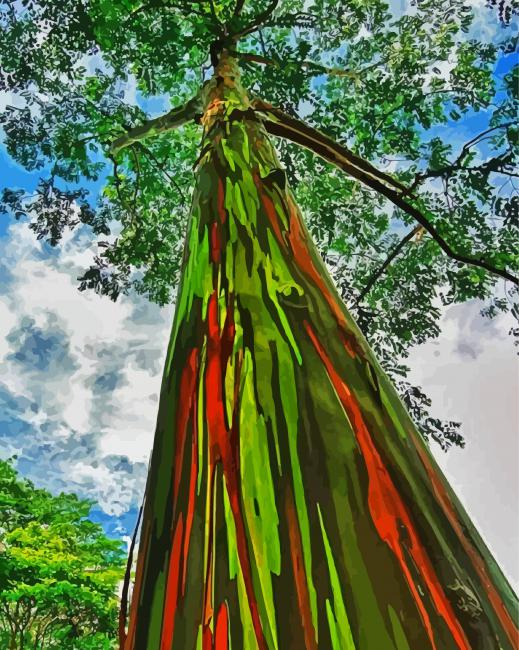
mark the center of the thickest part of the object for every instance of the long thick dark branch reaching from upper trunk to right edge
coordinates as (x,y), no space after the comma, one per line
(282,125)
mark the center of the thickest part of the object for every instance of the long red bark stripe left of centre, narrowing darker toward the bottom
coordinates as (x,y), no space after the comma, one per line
(221,450)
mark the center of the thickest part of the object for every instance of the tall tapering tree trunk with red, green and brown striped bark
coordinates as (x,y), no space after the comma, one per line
(290,501)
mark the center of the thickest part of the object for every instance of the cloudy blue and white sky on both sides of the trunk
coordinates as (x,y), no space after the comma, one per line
(80,377)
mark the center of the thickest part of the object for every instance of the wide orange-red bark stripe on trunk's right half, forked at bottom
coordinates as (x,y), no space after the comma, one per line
(387,509)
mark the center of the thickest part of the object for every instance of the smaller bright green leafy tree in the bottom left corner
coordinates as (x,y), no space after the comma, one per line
(58,571)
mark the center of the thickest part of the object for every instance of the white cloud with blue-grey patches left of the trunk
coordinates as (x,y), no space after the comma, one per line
(81,374)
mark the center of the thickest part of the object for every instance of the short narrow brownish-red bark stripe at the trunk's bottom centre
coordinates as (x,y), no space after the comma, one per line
(296,553)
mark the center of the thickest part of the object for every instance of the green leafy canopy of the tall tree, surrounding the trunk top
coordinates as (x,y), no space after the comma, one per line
(392,88)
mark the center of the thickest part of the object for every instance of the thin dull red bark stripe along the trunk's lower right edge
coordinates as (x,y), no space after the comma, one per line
(502,613)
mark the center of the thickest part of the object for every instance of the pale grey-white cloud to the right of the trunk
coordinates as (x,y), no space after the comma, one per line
(471,373)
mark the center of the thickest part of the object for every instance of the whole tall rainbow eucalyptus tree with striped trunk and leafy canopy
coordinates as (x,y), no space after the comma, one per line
(291,502)
